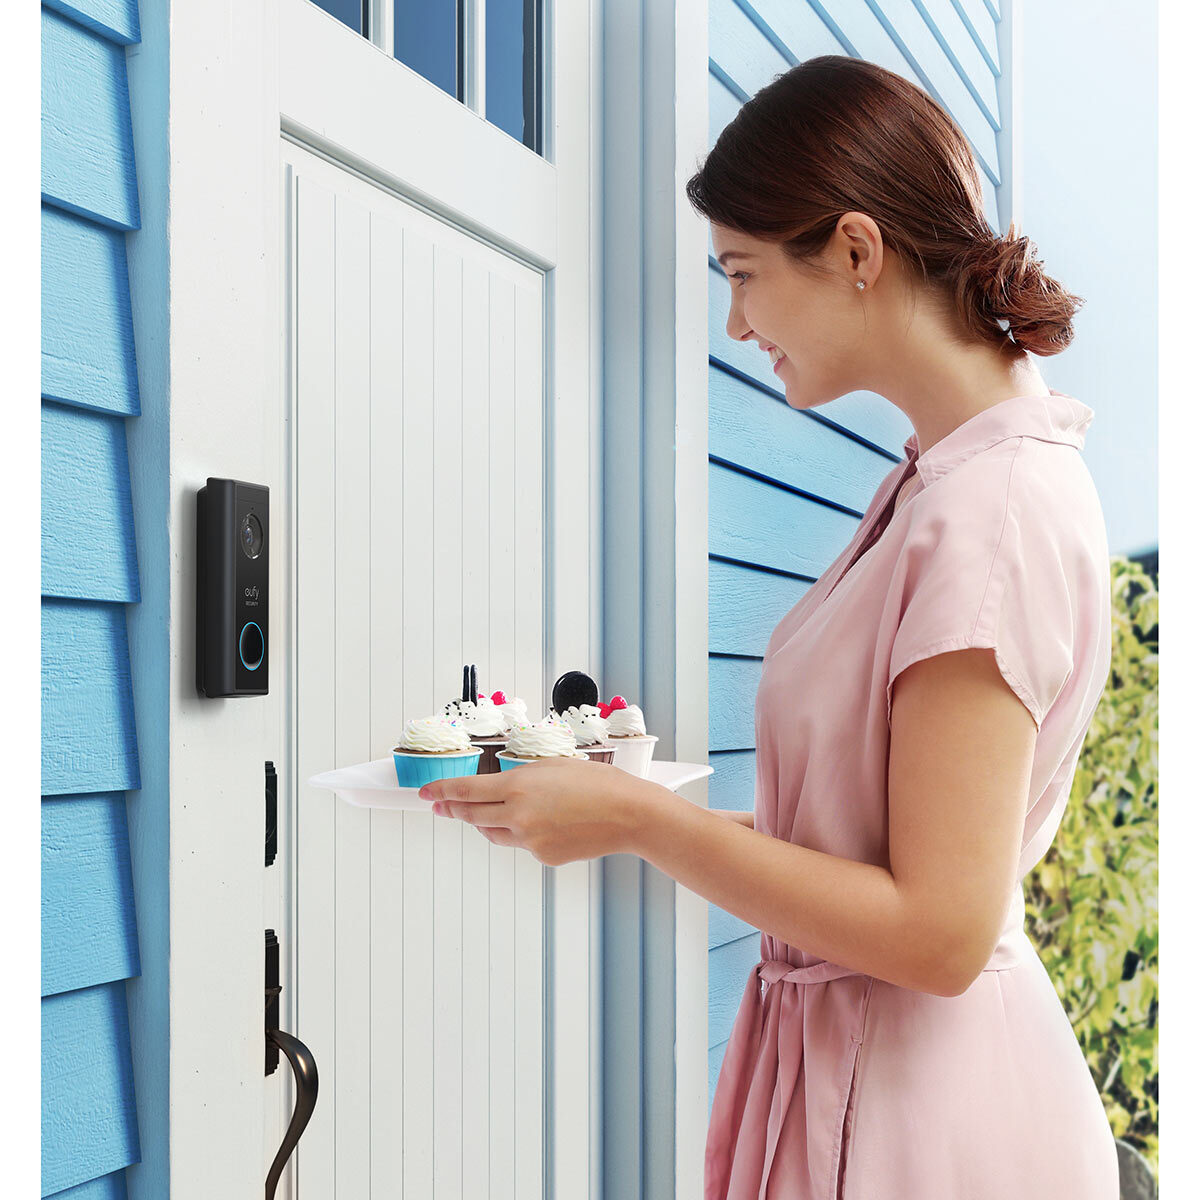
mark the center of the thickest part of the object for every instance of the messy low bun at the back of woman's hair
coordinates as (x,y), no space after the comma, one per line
(1006,295)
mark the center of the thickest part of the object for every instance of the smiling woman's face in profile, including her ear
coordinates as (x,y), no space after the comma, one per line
(818,322)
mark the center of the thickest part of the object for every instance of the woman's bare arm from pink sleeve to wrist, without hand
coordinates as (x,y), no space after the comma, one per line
(961,759)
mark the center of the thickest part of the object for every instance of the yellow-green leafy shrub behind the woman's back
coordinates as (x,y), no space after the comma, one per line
(1093,903)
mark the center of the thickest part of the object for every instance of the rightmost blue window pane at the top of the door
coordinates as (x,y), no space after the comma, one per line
(513,67)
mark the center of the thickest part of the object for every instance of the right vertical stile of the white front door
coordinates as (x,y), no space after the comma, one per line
(573,347)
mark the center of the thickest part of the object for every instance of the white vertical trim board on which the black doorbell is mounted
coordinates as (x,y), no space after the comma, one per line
(224,353)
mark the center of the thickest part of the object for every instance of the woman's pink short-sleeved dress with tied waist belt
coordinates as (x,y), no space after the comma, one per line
(841,1087)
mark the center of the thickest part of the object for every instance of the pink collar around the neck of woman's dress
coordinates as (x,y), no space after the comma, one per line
(1054,418)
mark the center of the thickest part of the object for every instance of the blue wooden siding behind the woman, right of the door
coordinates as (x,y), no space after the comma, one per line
(789,489)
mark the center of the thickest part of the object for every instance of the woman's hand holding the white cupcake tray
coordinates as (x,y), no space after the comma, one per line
(562,811)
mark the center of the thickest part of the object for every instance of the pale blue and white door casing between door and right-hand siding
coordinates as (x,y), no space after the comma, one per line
(656,575)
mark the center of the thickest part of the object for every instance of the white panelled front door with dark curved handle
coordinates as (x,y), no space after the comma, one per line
(435,273)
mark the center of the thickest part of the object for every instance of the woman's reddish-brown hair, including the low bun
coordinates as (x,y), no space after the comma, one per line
(837,135)
